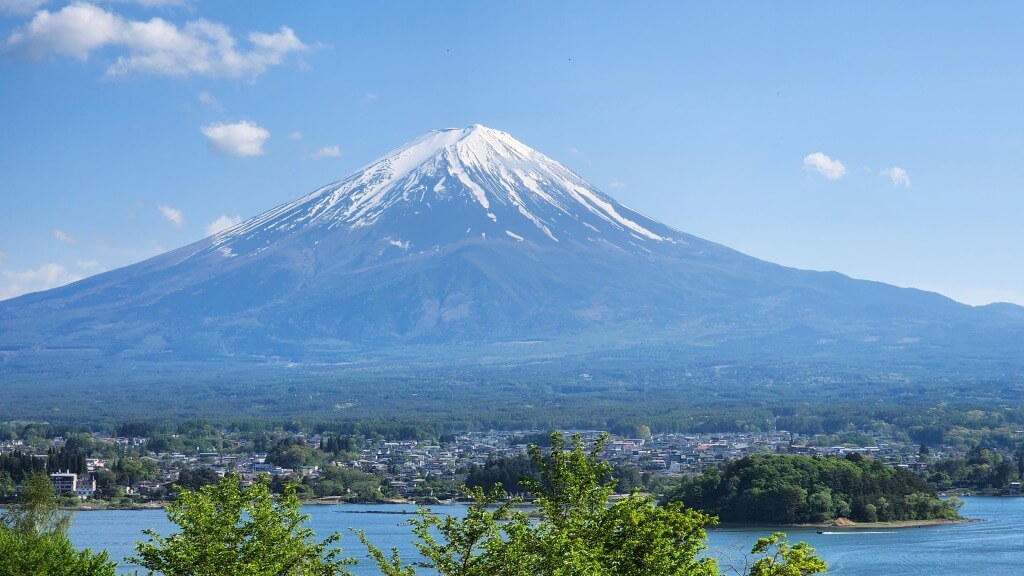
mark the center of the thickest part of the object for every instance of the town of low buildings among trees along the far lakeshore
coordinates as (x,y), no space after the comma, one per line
(130,472)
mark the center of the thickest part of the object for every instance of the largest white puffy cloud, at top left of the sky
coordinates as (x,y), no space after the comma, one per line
(156,47)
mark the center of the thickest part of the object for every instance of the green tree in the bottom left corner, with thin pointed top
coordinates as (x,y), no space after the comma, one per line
(34,538)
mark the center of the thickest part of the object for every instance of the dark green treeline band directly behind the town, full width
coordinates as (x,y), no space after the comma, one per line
(661,412)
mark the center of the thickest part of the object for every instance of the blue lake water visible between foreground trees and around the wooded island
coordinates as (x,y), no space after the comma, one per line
(994,547)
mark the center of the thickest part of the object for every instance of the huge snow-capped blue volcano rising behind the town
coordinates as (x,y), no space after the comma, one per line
(467,238)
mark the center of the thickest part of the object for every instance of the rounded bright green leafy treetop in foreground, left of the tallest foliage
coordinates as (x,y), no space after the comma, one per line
(228,530)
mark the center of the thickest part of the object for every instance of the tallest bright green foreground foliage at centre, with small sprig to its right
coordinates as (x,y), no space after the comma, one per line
(578,532)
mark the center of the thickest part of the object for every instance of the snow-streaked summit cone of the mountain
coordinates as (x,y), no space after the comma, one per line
(493,184)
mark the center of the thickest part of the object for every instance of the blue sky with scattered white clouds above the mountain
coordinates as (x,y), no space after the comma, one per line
(882,140)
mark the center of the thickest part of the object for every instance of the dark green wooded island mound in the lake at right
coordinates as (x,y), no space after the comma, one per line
(787,489)
